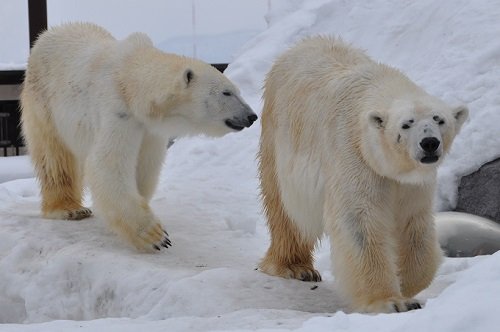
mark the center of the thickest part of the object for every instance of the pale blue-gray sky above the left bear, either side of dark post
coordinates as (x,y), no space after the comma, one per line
(160,19)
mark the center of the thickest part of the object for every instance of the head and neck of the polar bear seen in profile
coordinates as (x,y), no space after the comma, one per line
(179,96)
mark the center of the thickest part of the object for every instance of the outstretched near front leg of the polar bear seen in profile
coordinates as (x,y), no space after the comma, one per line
(111,169)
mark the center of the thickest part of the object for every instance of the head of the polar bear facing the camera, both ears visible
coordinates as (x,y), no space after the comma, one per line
(408,140)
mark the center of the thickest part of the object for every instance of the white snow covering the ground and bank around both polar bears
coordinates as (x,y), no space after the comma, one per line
(61,276)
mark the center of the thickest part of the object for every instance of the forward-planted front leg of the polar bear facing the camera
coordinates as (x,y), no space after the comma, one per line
(364,254)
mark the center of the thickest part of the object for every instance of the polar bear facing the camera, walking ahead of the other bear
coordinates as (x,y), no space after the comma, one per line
(350,147)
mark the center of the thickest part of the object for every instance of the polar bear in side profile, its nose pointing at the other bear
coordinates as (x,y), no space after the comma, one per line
(103,110)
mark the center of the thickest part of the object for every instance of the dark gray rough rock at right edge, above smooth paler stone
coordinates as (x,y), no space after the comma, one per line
(479,192)
